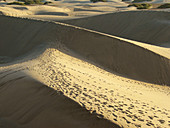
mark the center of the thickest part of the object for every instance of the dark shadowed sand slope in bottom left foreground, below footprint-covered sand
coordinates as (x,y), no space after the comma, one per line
(28,103)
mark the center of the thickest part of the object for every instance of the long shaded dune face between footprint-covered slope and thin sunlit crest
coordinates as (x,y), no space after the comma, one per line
(114,54)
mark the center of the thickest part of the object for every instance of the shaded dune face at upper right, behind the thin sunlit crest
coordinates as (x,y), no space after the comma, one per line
(145,26)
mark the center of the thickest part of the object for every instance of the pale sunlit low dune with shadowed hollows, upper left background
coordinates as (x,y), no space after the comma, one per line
(16,10)
